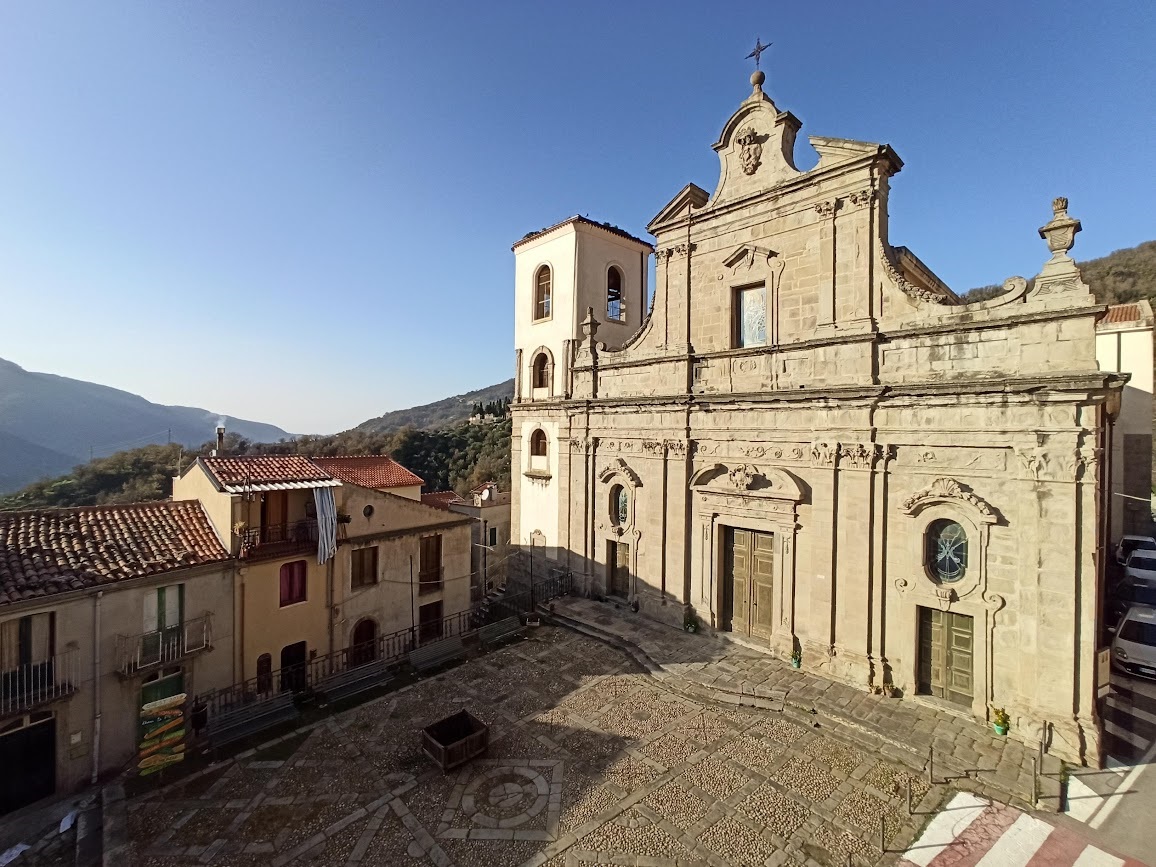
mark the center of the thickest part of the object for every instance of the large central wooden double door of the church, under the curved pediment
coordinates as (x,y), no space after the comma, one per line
(749,570)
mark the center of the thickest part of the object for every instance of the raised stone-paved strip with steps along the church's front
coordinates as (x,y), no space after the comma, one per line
(718,670)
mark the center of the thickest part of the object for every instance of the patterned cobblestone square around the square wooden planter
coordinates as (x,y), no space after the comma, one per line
(590,760)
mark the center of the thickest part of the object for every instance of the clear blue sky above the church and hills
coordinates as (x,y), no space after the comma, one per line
(302,213)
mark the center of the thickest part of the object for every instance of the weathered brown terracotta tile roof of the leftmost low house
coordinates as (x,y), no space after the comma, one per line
(56,551)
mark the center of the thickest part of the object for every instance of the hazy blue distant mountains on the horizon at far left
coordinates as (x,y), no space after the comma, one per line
(50,424)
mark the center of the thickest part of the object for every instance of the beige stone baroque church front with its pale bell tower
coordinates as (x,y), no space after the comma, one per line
(812,446)
